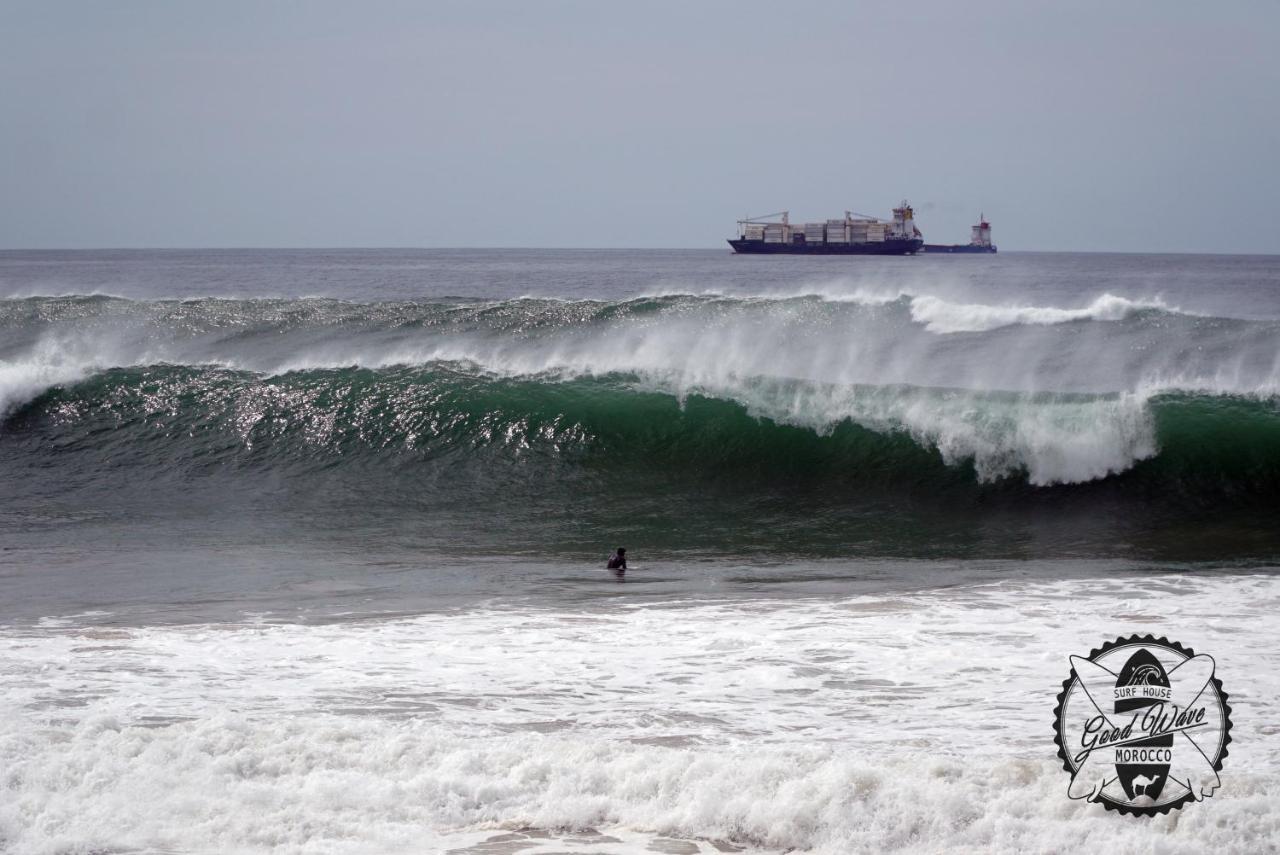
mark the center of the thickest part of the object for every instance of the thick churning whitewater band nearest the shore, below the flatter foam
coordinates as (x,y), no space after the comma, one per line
(324,785)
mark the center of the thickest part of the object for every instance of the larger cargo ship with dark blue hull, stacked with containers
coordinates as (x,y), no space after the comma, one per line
(856,235)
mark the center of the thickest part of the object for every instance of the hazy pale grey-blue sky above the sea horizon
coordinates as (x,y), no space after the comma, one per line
(1075,126)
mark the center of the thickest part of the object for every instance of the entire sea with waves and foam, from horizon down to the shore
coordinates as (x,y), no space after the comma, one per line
(303,551)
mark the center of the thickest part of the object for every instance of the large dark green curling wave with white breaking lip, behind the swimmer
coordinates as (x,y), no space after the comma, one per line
(176,415)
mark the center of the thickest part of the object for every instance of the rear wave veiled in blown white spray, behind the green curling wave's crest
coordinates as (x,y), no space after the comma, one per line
(874,341)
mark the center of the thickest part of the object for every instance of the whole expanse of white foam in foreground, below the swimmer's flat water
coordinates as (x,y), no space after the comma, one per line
(874,724)
